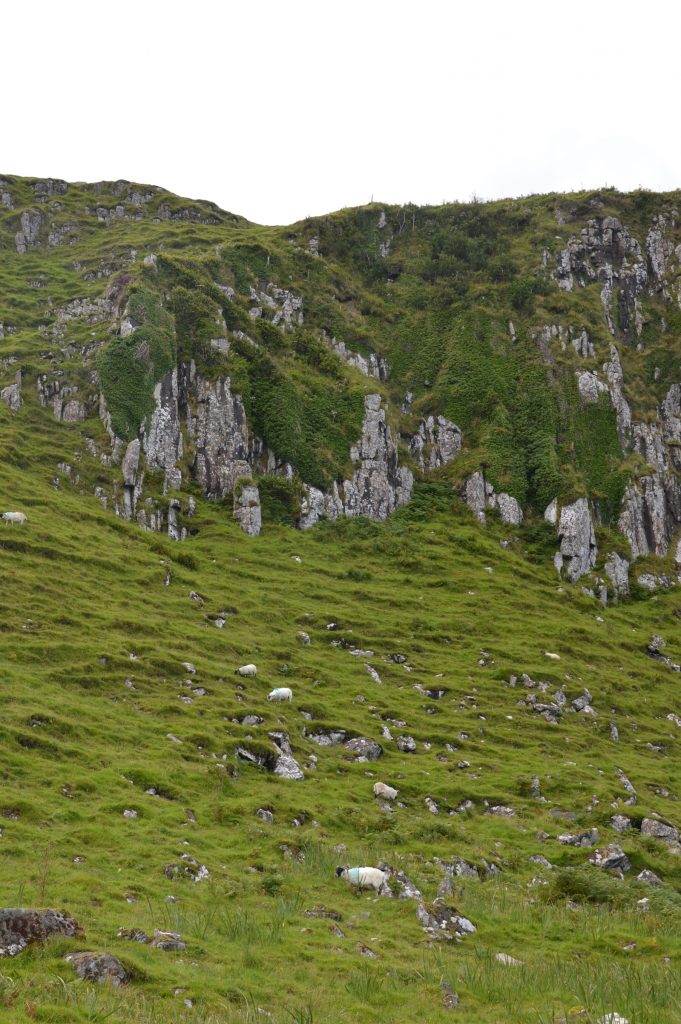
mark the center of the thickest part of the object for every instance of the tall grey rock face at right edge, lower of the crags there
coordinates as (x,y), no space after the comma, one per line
(652,506)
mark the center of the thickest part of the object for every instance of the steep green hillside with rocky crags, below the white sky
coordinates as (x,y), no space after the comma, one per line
(161,356)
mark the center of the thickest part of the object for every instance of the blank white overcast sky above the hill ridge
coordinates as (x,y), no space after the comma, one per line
(280,109)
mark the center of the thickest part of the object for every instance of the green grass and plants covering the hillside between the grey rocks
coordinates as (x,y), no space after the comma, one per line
(86,726)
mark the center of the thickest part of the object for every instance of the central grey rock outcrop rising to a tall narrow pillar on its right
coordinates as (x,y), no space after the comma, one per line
(379,485)
